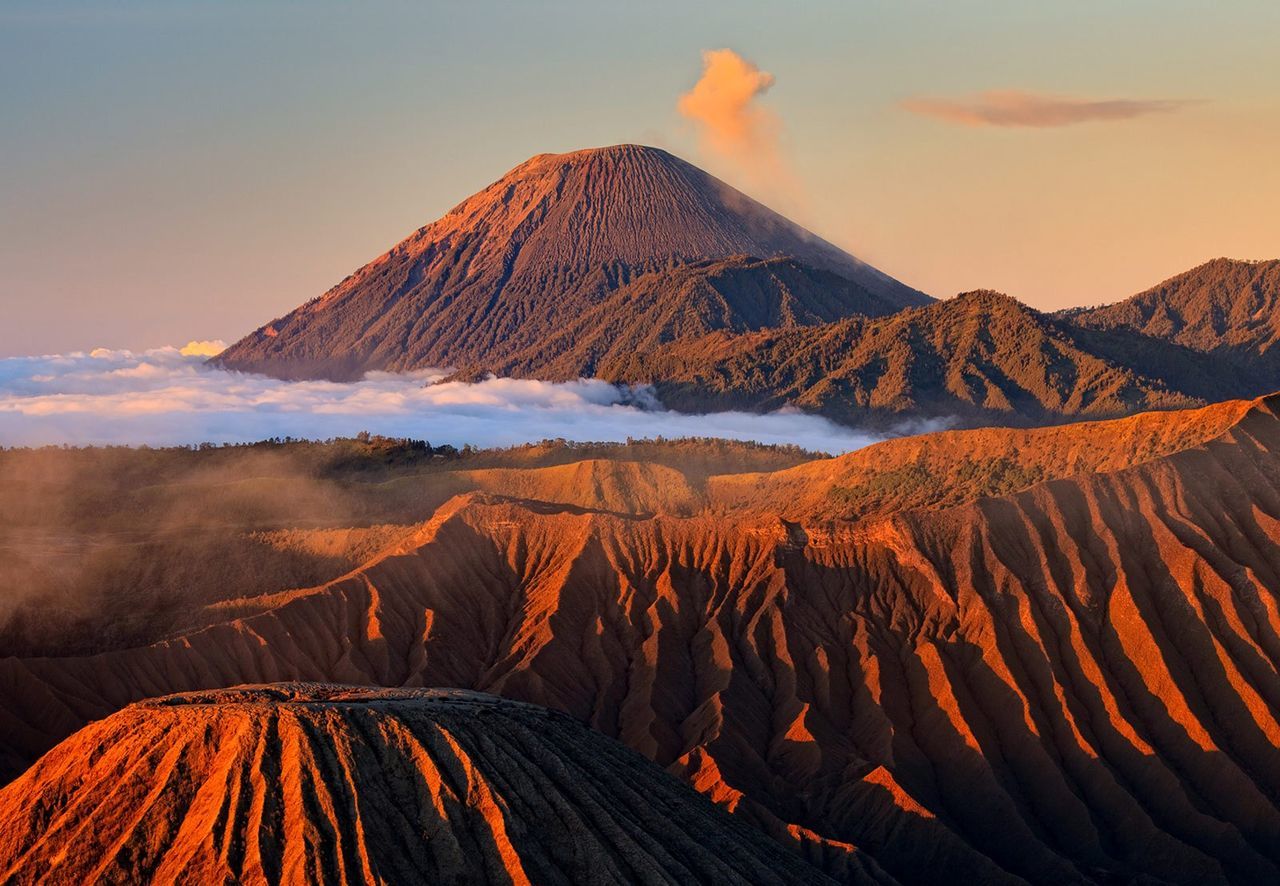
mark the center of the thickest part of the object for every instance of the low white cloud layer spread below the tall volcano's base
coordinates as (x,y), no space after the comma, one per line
(166,398)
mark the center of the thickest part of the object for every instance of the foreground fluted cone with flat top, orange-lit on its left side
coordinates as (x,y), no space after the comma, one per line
(305,783)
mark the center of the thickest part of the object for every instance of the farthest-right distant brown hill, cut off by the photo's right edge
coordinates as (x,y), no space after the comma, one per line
(1226,308)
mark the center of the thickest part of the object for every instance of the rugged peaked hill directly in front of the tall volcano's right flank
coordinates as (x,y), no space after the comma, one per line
(977,358)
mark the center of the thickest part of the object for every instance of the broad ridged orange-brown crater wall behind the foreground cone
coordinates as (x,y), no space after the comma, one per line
(1049,657)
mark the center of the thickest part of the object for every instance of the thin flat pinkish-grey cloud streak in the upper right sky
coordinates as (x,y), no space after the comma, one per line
(1013,108)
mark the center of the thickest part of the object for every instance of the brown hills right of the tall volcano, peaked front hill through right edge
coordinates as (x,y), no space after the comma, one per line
(979,358)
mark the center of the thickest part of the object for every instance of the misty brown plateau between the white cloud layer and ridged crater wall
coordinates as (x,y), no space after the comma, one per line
(112,549)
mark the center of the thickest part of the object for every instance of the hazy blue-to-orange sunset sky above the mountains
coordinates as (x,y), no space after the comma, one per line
(177,171)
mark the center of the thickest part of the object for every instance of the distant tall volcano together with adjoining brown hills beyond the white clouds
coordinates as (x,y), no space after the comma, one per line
(632,266)
